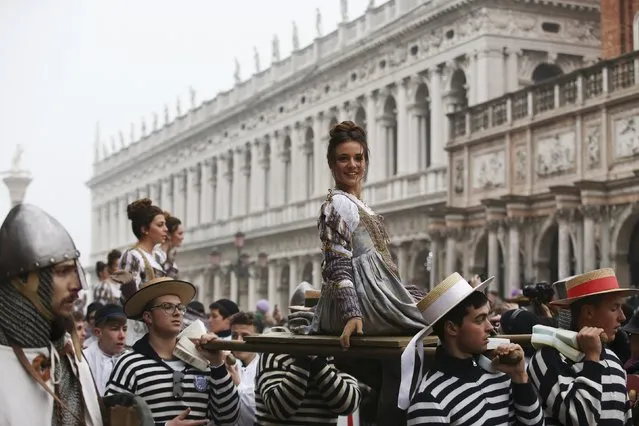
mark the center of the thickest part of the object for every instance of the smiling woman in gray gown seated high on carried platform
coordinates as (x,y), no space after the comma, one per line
(362,291)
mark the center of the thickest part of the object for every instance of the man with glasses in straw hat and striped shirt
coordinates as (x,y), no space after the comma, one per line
(177,393)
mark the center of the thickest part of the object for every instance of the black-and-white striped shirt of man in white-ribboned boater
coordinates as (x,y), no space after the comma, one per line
(459,392)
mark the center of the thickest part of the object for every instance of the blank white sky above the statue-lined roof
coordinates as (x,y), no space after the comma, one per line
(66,64)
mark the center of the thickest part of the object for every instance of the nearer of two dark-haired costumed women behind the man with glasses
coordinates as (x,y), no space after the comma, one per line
(148,224)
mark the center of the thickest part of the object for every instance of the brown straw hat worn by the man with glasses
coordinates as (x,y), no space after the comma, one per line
(134,306)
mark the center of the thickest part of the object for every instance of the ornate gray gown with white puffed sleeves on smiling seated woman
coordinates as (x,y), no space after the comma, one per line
(359,275)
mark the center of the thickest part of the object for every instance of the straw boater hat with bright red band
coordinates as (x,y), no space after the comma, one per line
(599,281)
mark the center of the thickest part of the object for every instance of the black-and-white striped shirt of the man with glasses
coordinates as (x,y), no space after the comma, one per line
(143,373)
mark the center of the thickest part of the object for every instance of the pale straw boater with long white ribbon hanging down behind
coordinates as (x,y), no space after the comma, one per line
(437,303)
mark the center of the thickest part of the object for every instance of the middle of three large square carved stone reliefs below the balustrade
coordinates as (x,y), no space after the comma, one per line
(555,154)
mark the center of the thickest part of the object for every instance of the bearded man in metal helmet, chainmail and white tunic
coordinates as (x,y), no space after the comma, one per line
(45,379)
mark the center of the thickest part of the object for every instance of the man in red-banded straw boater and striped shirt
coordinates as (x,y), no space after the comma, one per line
(592,391)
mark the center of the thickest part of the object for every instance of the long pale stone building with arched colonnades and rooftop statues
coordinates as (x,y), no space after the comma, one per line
(253,159)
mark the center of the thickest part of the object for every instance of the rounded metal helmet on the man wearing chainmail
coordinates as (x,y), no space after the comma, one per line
(31,239)
